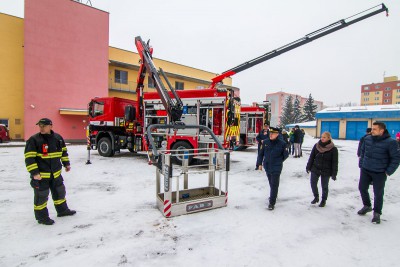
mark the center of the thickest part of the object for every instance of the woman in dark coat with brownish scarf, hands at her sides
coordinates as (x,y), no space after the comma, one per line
(323,162)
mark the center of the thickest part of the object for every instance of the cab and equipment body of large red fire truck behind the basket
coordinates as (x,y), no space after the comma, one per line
(113,125)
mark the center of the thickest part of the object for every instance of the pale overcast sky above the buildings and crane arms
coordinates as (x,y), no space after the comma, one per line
(216,35)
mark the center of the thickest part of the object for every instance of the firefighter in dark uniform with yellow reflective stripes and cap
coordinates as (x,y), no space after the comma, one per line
(45,155)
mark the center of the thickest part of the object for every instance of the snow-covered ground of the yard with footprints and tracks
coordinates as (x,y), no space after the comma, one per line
(117,222)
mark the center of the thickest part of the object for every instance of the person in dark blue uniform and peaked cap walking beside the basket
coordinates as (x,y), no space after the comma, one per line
(275,153)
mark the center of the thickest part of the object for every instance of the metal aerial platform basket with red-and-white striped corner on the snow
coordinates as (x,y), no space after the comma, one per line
(183,189)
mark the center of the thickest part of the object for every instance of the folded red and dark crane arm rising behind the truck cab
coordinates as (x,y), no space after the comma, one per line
(174,107)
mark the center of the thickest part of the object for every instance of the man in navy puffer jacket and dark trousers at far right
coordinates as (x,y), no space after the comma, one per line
(380,157)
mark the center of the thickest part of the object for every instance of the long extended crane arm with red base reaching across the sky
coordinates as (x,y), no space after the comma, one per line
(302,41)
